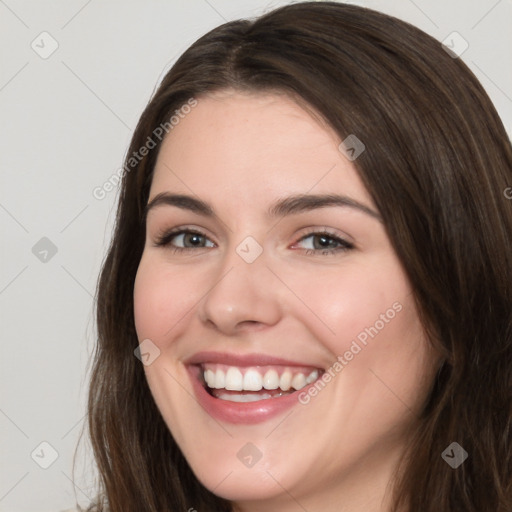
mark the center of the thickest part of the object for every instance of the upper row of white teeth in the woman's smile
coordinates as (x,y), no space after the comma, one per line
(255,379)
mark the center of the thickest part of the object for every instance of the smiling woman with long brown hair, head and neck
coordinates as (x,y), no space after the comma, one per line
(311,266)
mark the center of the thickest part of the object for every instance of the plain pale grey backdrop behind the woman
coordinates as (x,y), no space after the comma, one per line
(74,79)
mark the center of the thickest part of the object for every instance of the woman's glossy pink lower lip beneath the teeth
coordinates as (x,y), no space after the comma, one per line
(240,412)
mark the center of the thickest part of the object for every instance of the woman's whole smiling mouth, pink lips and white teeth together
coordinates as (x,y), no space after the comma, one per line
(247,389)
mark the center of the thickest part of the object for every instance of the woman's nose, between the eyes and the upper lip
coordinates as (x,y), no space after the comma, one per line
(243,297)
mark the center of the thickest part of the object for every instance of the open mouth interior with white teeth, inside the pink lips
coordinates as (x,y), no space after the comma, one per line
(254,383)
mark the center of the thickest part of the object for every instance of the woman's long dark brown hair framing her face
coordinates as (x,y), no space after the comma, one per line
(437,162)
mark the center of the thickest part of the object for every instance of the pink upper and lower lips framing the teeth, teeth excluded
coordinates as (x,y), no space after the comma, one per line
(240,412)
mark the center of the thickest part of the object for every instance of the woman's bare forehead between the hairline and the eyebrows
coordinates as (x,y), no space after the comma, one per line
(253,145)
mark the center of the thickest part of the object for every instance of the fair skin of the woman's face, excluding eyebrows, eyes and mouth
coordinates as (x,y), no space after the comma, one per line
(241,152)
